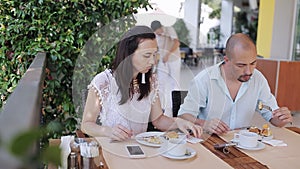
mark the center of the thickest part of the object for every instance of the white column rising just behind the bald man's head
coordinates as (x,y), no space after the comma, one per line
(226,21)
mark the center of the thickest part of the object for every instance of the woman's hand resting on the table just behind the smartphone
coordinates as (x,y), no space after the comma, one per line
(120,133)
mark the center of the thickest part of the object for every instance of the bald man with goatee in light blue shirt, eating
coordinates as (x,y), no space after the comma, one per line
(225,96)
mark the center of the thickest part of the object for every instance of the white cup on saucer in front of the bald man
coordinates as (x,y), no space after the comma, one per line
(246,139)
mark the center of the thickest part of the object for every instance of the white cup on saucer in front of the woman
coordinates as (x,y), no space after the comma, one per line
(177,147)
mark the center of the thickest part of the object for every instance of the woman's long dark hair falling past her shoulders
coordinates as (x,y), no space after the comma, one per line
(122,66)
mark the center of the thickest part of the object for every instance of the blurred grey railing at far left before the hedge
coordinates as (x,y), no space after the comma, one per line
(22,109)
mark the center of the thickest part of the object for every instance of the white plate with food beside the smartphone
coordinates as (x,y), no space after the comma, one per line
(139,138)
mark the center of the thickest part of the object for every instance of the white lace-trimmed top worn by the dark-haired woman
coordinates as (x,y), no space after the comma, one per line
(133,114)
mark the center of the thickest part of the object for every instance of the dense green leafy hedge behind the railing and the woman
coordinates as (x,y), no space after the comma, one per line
(61,28)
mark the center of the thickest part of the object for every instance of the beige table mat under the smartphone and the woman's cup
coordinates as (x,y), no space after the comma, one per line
(117,157)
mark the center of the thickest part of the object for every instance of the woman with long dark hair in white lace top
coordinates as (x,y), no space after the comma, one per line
(126,95)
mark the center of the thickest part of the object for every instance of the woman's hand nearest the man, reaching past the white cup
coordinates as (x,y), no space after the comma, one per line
(185,125)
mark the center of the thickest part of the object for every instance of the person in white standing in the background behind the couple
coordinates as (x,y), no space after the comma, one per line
(169,64)
